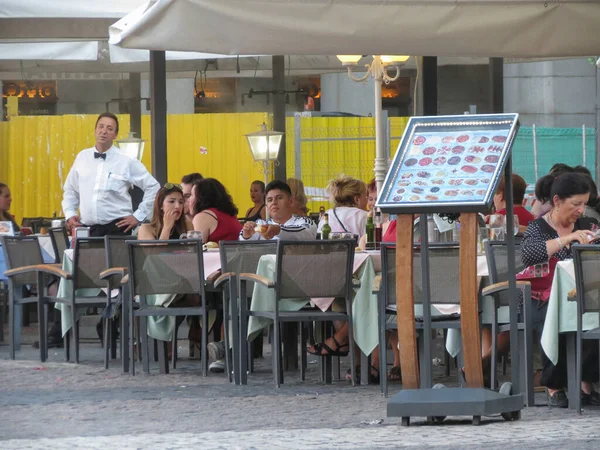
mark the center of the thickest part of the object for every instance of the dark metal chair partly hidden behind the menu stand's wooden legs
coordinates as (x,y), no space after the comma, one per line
(444,288)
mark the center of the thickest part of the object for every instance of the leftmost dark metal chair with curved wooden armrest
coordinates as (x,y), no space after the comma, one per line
(25,267)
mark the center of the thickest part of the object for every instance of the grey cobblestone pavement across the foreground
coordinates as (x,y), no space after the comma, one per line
(63,405)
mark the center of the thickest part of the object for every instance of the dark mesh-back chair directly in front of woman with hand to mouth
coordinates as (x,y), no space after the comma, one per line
(166,267)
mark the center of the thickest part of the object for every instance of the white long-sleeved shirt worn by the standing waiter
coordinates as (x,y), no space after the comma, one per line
(100,188)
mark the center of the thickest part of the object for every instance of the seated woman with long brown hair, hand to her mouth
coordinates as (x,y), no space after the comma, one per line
(168,220)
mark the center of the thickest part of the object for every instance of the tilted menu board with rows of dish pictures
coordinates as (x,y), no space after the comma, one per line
(448,163)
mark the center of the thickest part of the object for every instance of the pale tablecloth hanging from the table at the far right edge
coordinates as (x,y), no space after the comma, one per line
(562,314)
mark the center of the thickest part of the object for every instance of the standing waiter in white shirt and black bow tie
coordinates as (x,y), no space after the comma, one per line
(98,185)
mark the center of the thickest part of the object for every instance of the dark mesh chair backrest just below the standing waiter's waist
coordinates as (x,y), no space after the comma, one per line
(89,260)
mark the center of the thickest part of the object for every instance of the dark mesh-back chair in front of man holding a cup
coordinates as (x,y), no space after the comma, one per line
(305,269)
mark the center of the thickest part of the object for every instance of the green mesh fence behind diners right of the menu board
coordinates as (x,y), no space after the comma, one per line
(554,145)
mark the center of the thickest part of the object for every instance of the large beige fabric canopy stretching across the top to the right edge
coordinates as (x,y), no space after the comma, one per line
(502,28)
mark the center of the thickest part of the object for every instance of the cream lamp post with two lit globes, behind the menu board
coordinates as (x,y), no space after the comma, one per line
(378,70)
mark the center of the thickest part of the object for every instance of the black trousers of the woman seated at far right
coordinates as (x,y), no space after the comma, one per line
(555,376)
